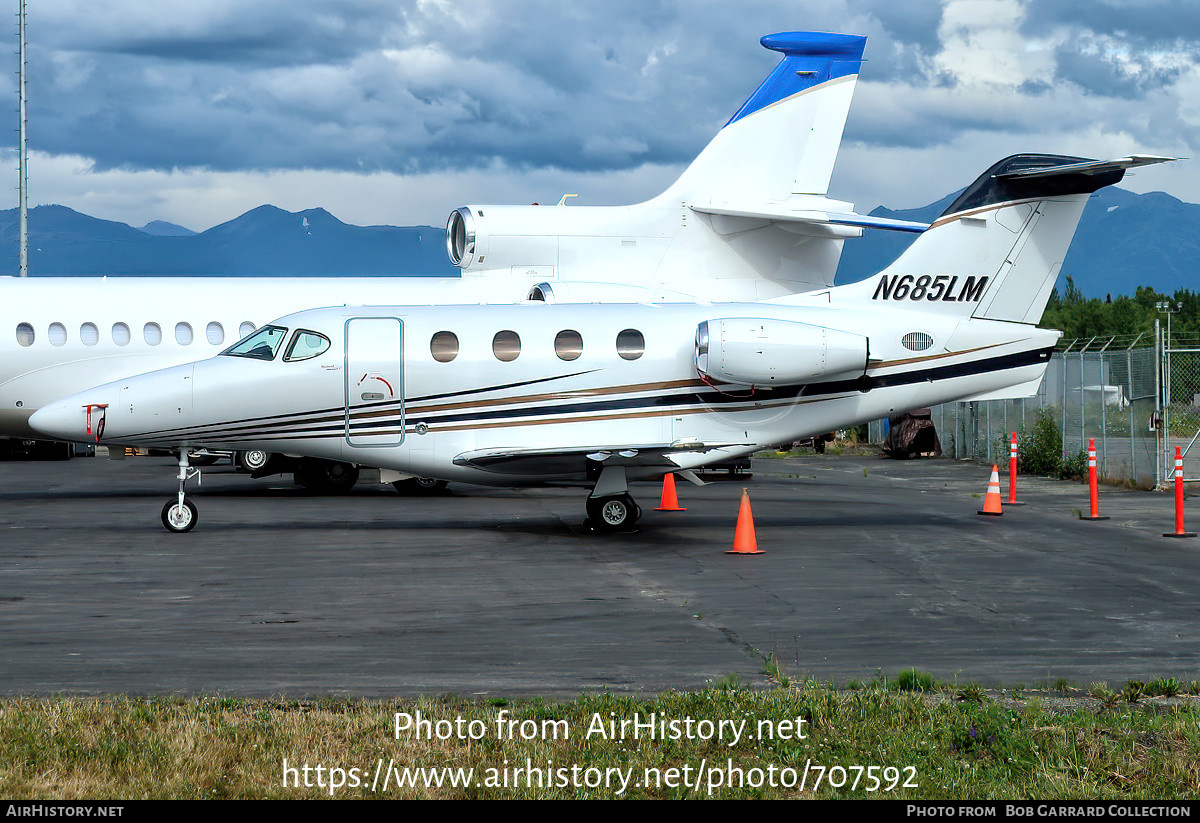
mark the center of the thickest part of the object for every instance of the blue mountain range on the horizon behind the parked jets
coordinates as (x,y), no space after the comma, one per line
(1125,241)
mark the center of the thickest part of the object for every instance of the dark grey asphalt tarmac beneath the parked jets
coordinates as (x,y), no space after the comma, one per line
(869,567)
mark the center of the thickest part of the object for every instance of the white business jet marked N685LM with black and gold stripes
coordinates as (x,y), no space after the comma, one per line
(610,393)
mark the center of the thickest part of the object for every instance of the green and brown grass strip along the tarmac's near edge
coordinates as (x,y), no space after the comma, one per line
(124,748)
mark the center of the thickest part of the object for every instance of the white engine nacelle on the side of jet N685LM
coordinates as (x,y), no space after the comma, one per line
(755,352)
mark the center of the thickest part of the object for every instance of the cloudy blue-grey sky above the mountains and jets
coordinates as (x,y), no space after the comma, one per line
(617,95)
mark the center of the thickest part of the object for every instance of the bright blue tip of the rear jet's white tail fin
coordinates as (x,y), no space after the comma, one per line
(811,58)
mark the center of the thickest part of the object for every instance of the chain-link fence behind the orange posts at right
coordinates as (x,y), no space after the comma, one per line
(1137,397)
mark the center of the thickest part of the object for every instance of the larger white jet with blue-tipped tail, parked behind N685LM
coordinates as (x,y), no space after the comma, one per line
(748,220)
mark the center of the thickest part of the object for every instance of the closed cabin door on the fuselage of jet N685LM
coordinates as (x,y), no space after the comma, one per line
(375,385)
